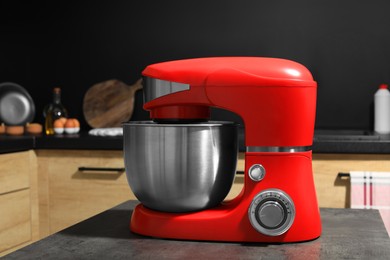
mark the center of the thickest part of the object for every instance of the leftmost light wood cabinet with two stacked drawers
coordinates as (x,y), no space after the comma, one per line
(18,200)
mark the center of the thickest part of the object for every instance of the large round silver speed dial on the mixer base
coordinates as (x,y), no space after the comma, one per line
(272,212)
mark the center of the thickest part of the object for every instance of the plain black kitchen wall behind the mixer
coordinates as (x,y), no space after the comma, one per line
(345,44)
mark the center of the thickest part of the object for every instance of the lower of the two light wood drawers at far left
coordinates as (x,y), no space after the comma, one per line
(15,223)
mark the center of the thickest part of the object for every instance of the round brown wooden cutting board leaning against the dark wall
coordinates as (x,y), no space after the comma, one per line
(109,103)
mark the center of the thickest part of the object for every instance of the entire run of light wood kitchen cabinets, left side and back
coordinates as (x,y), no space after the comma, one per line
(43,191)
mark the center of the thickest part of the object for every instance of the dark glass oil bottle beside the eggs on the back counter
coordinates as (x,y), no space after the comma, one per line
(53,111)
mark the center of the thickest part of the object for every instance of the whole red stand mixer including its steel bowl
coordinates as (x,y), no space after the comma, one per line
(276,99)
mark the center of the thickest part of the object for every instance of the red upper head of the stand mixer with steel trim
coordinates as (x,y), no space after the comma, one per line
(276,98)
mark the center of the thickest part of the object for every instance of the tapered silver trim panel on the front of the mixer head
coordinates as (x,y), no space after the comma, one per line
(155,88)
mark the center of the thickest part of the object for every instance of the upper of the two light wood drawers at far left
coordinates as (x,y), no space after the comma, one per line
(14,171)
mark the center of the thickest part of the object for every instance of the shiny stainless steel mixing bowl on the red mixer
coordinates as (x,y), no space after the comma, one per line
(180,167)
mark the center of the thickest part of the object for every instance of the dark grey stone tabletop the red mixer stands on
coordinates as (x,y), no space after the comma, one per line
(347,234)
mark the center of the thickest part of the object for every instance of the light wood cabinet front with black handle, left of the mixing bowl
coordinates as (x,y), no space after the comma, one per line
(68,195)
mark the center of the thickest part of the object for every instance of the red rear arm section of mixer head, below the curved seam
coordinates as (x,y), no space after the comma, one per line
(277,111)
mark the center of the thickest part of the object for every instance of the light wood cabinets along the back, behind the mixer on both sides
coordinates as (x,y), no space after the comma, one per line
(68,195)
